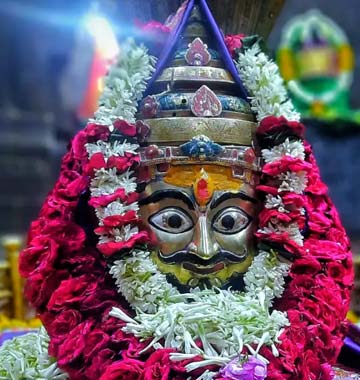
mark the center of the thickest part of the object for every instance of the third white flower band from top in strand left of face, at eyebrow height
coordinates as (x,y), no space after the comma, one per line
(107,181)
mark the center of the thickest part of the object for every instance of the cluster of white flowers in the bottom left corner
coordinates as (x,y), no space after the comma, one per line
(26,357)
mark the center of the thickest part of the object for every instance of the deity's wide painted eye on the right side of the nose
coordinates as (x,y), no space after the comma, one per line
(230,220)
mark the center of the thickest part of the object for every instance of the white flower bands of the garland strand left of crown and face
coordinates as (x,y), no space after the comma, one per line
(124,86)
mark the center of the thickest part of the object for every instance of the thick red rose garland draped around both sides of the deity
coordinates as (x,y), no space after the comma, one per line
(69,284)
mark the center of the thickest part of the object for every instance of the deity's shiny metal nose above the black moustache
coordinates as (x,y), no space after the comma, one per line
(204,244)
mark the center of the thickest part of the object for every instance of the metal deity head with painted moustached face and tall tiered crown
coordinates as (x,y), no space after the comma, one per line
(199,196)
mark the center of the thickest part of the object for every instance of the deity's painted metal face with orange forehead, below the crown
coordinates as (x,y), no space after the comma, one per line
(203,220)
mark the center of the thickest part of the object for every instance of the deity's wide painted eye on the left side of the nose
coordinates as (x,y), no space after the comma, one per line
(172,220)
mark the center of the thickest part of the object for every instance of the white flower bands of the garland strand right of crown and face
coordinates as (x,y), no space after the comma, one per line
(269,98)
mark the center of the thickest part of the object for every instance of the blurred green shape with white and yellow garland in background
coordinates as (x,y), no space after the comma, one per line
(317,64)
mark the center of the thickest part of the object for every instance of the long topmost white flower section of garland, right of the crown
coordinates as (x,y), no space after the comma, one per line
(261,78)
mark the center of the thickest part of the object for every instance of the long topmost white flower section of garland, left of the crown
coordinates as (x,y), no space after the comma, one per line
(124,84)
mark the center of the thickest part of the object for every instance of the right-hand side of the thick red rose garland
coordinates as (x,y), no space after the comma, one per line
(318,296)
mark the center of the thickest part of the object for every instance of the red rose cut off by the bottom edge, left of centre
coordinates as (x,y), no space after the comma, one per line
(127,369)
